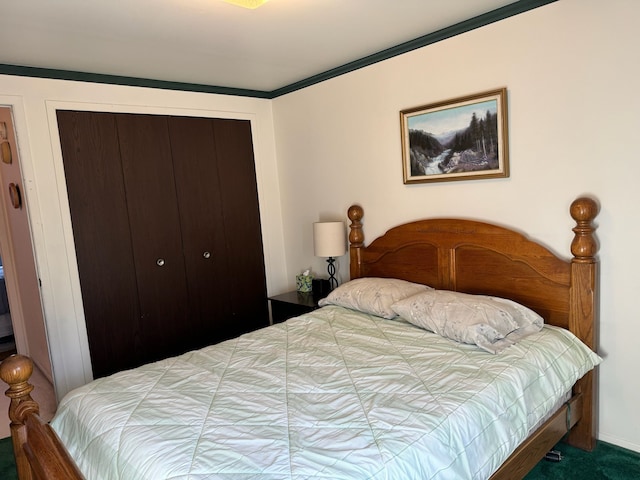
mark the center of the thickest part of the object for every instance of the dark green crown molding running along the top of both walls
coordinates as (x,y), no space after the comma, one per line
(496,15)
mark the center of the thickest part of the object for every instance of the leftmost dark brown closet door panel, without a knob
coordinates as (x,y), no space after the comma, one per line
(95,187)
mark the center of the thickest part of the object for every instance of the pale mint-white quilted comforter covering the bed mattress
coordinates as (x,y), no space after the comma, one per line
(334,394)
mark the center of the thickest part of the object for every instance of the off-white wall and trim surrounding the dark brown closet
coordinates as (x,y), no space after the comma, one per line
(34,102)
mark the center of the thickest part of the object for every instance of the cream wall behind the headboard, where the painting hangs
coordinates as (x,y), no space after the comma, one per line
(571,69)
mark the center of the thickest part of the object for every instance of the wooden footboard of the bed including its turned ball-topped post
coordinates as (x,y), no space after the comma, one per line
(38,450)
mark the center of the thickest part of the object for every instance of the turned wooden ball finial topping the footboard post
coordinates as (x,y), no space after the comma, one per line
(16,371)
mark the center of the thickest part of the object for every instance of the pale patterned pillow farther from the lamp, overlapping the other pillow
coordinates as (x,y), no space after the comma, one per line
(491,323)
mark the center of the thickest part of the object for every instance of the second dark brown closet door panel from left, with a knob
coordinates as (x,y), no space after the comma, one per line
(154,221)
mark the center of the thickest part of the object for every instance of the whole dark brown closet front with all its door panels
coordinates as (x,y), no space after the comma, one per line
(166,226)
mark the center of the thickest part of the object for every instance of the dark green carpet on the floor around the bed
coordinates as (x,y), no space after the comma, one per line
(606,462)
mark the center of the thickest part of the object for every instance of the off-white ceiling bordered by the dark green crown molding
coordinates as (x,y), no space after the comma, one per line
(214,43)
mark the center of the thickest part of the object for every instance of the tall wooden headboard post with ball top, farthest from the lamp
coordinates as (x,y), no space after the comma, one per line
(583,316)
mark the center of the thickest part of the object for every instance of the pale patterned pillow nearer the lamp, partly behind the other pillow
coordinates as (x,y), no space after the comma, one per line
(373,295)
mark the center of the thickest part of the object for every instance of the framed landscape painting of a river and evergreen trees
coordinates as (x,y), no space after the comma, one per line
(460,139)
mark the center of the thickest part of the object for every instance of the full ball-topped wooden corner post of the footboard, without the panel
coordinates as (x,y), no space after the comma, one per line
(16,371)
